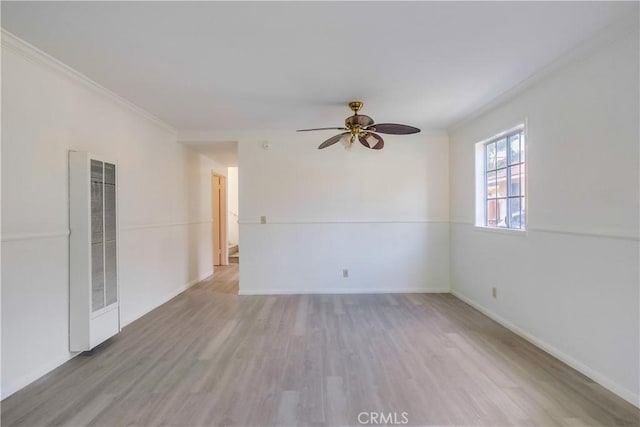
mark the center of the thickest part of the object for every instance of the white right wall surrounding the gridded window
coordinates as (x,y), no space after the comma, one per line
(571,284)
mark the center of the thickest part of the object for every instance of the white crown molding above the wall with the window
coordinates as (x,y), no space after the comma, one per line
(603,38)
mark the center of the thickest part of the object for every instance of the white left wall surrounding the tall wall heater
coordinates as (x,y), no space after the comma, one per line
(164,204)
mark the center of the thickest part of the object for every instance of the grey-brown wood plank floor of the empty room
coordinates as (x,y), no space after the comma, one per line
(210,357)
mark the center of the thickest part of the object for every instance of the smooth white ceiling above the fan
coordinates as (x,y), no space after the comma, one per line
(291,65)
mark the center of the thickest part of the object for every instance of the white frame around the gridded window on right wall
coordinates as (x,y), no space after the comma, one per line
(480,184)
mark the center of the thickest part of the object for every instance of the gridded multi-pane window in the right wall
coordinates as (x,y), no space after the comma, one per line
(501,176)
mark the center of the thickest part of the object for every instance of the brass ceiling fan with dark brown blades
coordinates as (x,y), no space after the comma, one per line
(363,129)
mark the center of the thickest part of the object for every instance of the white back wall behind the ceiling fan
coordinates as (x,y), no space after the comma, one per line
(381,214)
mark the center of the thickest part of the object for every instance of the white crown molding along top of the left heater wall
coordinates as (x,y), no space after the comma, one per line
(28,51)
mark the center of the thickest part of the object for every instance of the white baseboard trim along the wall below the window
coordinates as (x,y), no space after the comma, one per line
(596,376)
